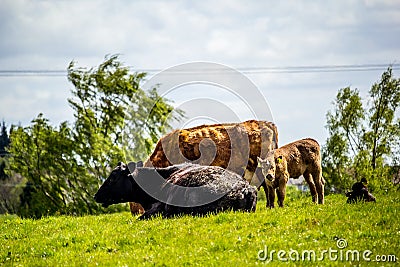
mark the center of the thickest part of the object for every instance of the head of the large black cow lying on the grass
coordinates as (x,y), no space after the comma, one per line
(118,187)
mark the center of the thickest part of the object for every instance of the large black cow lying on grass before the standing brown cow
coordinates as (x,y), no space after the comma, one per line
(179,189)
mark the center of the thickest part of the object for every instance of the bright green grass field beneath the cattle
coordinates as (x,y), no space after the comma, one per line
(336,232)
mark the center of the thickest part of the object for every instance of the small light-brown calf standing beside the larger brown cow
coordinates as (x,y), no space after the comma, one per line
(302,157)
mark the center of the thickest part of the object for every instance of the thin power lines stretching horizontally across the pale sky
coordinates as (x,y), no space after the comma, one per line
(245,70)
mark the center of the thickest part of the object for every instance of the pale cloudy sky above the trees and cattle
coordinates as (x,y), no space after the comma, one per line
(297,54)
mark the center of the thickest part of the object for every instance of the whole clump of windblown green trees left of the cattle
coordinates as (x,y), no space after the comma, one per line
(64,166)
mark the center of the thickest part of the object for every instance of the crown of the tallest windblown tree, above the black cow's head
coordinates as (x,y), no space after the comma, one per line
(108,104)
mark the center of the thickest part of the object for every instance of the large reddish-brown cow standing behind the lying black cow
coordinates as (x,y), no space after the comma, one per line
(232,146)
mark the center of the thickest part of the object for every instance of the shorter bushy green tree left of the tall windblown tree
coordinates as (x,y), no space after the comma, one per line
(37,151)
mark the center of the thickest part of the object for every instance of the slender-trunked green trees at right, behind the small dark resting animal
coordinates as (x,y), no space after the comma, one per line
(363,141)
